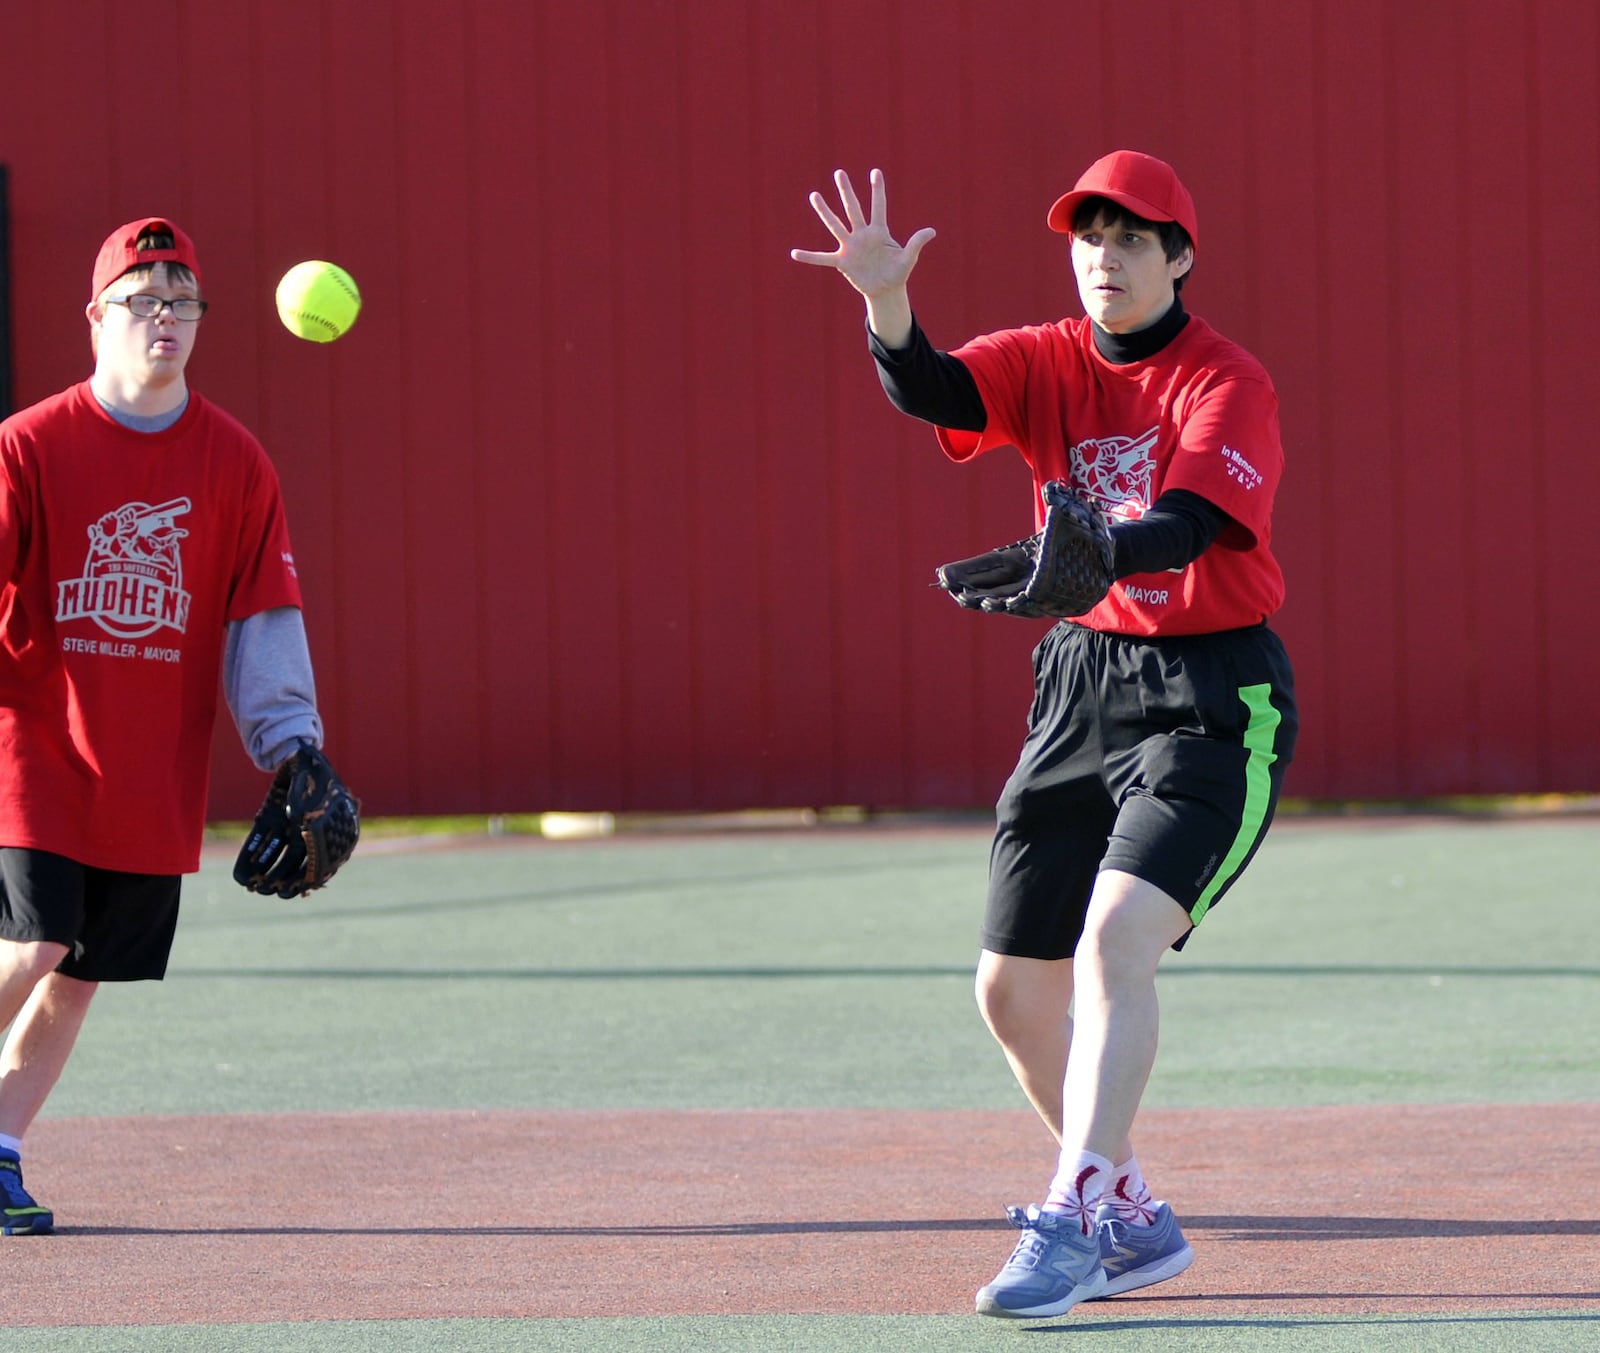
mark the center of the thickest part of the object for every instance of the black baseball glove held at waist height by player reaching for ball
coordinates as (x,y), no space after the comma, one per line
(1065,570)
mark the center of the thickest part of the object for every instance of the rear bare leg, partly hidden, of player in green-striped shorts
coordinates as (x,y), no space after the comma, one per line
(1026,1004)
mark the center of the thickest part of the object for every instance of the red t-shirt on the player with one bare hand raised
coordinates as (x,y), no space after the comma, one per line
(1201,415)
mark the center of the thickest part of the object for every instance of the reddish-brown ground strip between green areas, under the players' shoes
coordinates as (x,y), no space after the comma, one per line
(302,1218)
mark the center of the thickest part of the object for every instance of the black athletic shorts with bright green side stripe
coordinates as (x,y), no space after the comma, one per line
(1158,757)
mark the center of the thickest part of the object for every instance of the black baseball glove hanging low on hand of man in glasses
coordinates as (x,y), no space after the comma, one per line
(306,829)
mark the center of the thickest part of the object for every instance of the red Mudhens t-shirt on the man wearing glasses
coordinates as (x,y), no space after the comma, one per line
(124,556)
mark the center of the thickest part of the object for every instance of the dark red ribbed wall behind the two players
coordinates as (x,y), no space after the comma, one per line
(601,505)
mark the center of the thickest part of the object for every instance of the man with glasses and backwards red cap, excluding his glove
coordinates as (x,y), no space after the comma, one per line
(143,553)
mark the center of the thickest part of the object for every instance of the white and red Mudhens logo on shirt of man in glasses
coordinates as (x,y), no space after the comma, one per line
(134,578)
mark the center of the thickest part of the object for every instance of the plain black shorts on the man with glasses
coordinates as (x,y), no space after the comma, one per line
(118,927)
